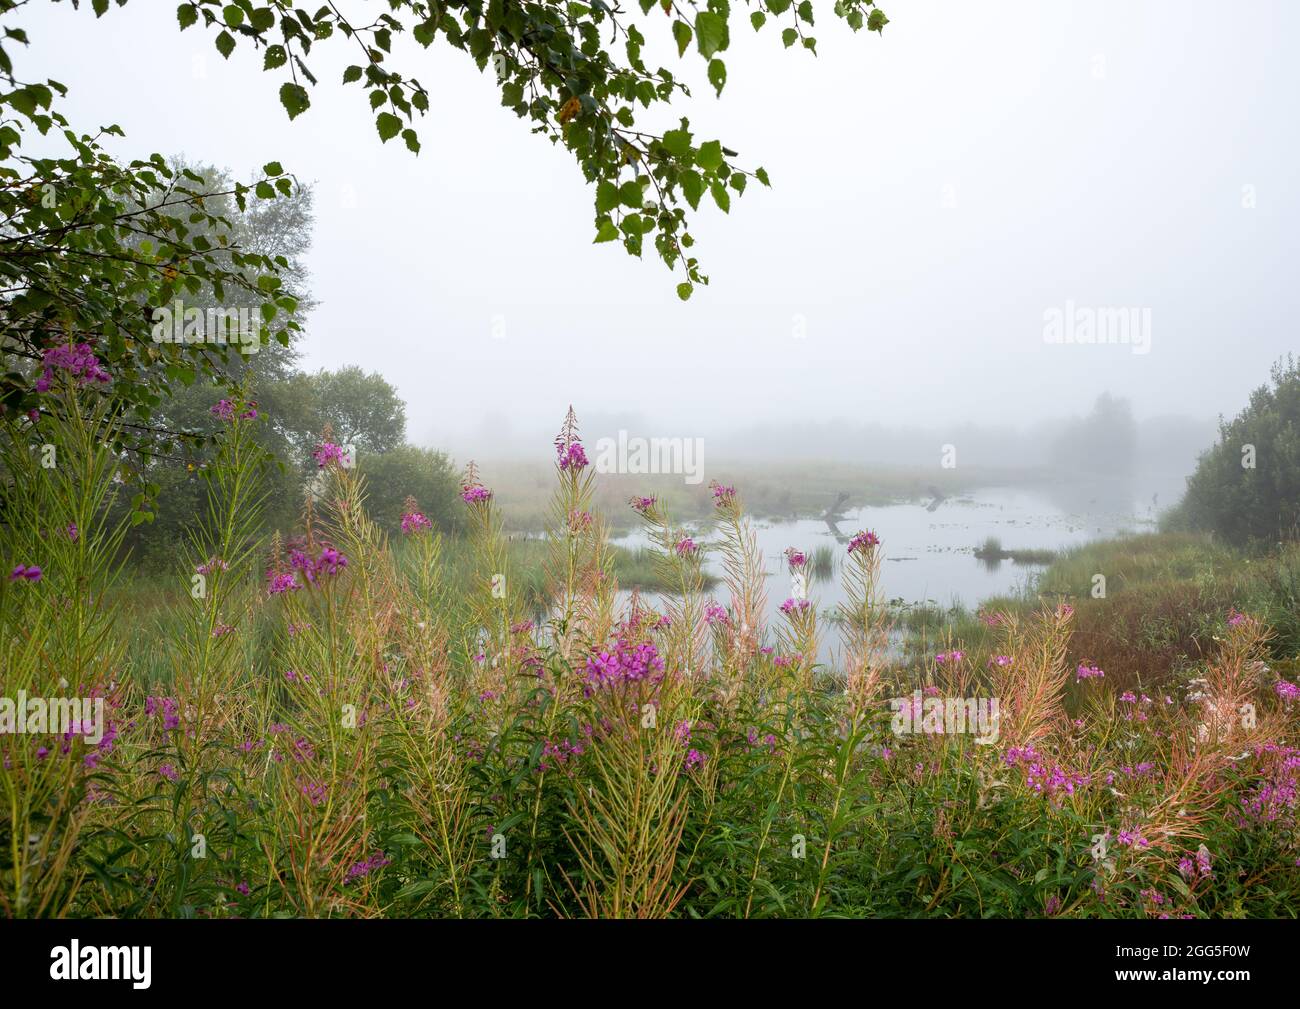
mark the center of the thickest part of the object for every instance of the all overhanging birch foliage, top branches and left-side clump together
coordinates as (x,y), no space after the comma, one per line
(96,252)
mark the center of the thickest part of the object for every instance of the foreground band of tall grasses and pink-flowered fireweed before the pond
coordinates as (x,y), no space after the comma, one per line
(343,726)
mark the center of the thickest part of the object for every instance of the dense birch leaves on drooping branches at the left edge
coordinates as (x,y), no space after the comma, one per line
(93,250)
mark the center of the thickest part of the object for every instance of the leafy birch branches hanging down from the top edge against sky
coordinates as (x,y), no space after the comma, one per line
(575,72)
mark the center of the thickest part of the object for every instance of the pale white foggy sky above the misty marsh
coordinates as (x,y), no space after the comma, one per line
(935,193)
